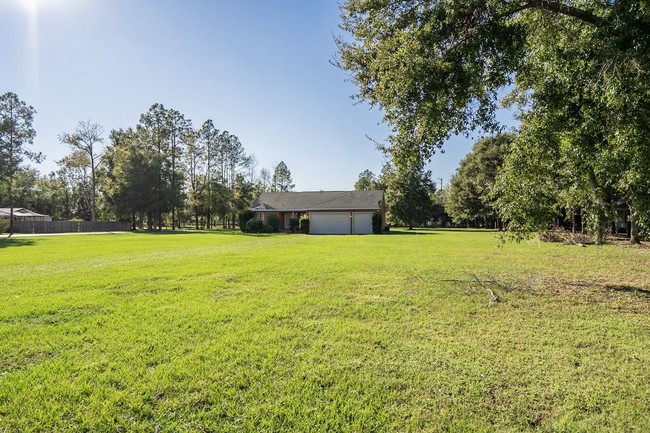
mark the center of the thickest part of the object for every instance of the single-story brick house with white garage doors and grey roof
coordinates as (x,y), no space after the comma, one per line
(330,212)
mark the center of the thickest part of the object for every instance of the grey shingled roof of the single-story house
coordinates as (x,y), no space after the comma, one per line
(318,200)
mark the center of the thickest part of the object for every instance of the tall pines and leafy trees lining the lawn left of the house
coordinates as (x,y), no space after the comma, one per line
(162,173)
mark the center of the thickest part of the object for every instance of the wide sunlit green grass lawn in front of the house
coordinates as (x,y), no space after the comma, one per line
(412,331)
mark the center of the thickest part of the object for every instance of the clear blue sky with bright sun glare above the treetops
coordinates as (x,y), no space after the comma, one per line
(258,69)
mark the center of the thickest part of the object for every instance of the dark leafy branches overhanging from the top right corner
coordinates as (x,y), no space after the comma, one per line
(436,67)
